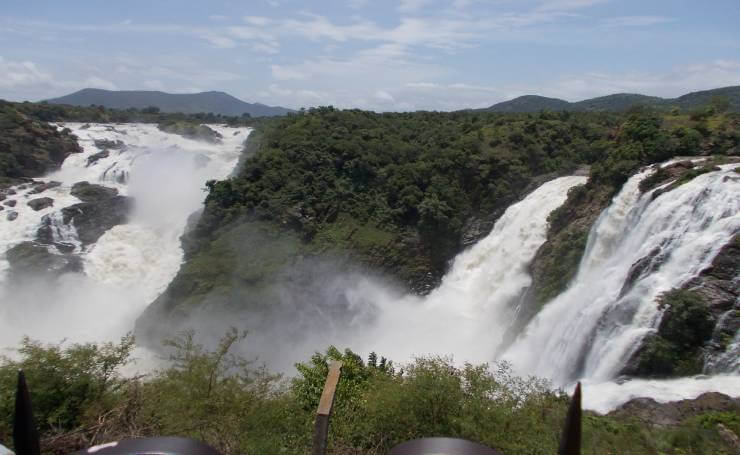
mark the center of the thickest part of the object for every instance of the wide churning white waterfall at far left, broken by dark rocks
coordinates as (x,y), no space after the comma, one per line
(131,263)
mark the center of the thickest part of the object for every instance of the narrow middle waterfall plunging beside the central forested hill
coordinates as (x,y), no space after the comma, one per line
(470,310)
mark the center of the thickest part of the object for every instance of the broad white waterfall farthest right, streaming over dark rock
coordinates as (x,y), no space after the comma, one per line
(590,330)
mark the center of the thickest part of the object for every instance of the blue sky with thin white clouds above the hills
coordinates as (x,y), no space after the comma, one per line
(380,55)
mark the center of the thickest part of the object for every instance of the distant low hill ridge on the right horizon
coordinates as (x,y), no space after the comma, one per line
(619,102)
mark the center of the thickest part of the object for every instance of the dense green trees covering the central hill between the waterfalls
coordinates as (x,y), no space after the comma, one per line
(414,179)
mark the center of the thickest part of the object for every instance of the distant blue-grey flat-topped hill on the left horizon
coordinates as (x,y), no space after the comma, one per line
(187,103)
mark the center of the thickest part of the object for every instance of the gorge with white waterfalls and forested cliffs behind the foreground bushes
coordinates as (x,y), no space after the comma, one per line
(120,241)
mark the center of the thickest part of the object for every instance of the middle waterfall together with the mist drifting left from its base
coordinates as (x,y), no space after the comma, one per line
(321,301)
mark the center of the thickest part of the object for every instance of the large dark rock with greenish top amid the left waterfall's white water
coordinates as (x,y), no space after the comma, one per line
(101,209)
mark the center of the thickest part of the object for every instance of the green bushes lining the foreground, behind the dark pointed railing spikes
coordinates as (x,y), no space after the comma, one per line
(238,407)
